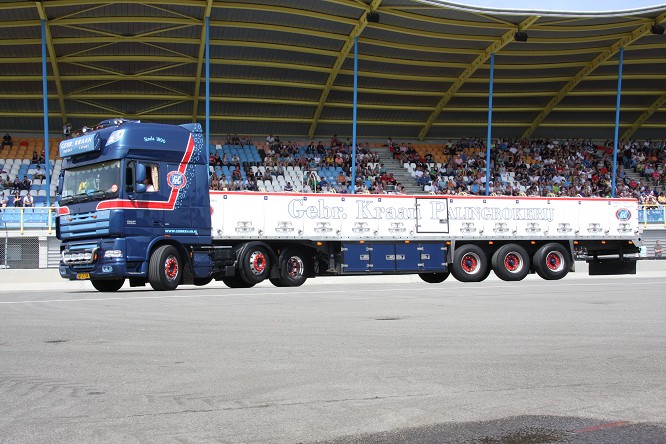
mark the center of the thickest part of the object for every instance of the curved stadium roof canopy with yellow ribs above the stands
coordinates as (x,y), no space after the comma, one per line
(286,67)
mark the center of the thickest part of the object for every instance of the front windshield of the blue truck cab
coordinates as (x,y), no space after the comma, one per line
(91,182)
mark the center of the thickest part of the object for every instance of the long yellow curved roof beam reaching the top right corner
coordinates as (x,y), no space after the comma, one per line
(587,70)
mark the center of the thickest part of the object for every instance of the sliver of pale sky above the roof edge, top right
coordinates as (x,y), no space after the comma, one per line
(565,5)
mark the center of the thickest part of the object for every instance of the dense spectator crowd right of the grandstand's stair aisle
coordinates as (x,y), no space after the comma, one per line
(543,167)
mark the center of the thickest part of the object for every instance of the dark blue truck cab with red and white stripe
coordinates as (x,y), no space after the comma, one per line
(127,190)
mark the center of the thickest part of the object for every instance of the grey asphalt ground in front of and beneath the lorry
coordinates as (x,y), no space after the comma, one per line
(348,360)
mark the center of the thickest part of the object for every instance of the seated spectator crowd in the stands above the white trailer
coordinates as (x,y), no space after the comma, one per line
(527,167)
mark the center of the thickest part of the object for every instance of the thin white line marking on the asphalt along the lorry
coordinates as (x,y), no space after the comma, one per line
(292,291)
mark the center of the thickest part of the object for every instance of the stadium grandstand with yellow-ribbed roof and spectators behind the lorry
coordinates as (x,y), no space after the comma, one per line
(274,83)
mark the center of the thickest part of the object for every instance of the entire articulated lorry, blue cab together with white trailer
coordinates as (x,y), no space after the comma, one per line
(136,206)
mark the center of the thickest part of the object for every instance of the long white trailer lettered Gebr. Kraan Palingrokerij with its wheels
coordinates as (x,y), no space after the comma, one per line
(288,237)
